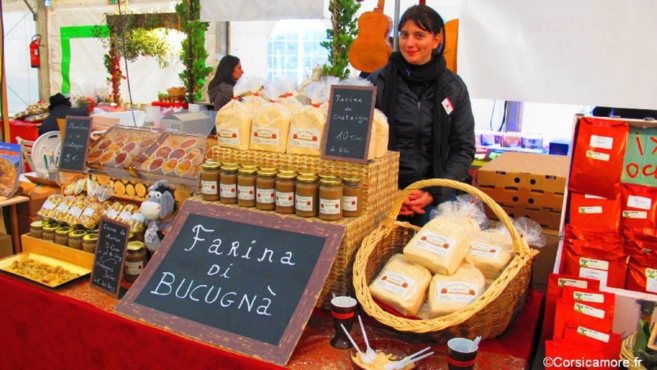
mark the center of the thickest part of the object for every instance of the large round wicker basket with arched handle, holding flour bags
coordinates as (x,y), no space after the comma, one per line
(487,316)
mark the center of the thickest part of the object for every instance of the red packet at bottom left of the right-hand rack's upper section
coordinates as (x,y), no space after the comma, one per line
(606,262)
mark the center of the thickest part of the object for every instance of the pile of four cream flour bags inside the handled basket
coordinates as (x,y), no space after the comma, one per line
(443,268)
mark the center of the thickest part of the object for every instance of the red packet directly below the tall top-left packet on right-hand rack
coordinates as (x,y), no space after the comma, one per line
(593,213)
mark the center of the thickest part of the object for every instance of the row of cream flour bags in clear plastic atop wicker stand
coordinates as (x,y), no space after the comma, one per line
(271,117)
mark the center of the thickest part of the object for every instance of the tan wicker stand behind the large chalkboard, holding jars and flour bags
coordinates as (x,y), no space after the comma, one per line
(379,184)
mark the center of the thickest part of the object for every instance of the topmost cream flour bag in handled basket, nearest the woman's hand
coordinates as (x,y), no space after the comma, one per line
(442,244)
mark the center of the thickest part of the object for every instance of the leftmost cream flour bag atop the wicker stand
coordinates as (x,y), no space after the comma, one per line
(234,125)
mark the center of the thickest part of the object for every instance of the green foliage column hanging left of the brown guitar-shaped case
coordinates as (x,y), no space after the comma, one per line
(340,37)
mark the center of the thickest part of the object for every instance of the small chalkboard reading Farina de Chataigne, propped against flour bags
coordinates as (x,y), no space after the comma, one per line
(348,129)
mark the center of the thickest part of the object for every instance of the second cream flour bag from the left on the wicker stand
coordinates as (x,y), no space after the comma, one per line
(270,128)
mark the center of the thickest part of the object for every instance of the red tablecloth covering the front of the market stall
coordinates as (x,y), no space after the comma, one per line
(46,329)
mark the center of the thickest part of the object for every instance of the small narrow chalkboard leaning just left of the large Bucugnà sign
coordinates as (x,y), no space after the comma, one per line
(110,256)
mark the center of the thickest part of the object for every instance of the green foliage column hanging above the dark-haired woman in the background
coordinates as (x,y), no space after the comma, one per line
(193,49)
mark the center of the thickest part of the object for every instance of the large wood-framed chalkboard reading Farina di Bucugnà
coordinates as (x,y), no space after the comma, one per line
(241,279)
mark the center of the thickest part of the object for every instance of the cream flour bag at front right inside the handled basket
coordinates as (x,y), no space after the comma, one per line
(448,294)
